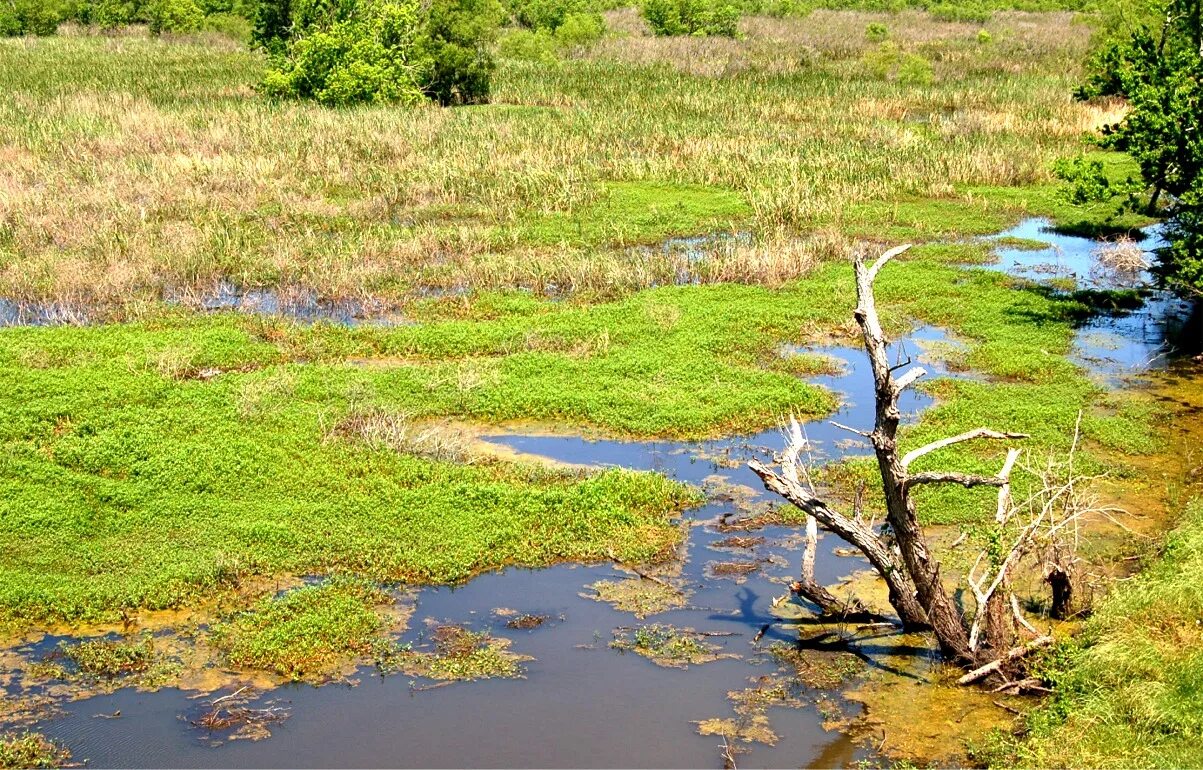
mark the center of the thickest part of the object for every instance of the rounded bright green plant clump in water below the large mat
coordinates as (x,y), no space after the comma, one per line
(309,631)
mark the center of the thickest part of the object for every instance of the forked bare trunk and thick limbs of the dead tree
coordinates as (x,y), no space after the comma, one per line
(908,565)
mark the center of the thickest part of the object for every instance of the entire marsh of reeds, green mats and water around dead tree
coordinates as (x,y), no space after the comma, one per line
(422,434)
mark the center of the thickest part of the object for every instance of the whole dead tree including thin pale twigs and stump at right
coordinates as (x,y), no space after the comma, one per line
(909,568)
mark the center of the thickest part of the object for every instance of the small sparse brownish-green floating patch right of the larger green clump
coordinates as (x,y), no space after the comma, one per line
(461,655)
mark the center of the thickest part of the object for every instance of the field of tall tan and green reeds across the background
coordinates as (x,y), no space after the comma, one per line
(137,169)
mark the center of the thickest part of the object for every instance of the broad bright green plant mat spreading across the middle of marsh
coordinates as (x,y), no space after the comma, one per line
(149,464)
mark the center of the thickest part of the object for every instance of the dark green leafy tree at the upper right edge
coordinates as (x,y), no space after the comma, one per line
(1154,60)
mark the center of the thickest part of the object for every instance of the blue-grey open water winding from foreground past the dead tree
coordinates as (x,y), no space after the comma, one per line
(582,703)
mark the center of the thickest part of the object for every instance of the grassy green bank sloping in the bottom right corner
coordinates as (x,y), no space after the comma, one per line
(1129,689)
